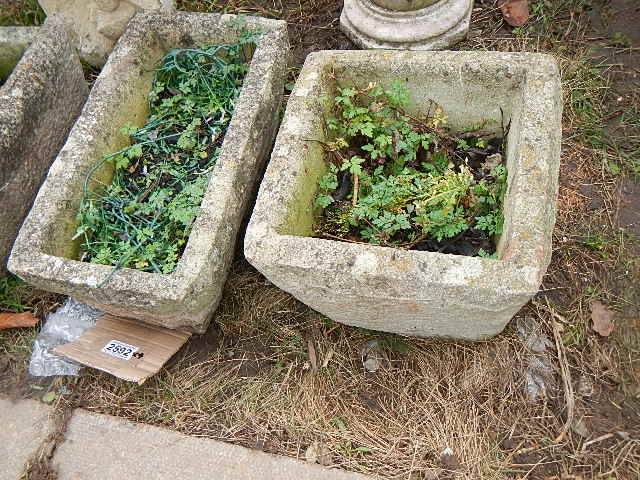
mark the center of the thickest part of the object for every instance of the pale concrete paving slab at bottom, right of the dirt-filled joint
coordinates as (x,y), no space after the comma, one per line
(103,448)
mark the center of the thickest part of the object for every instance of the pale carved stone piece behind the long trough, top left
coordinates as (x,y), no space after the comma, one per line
(99,23)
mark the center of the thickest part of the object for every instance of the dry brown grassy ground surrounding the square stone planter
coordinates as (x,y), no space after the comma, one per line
(278,376)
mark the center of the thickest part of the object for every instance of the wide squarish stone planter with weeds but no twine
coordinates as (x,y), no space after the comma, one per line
(411,292)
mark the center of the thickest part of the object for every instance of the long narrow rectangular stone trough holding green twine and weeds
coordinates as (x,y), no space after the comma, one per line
(45,256)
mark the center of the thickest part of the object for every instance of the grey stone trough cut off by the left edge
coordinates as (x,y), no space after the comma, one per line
(39,102)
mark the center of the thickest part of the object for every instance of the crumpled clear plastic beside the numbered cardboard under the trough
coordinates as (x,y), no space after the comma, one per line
(60,327)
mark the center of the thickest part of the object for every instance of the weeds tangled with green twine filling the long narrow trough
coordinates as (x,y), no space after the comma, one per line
(143,218)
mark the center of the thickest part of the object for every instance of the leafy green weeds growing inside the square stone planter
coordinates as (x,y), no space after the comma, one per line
(409,180)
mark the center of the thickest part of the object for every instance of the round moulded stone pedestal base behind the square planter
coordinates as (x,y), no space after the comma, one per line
(406,24)
